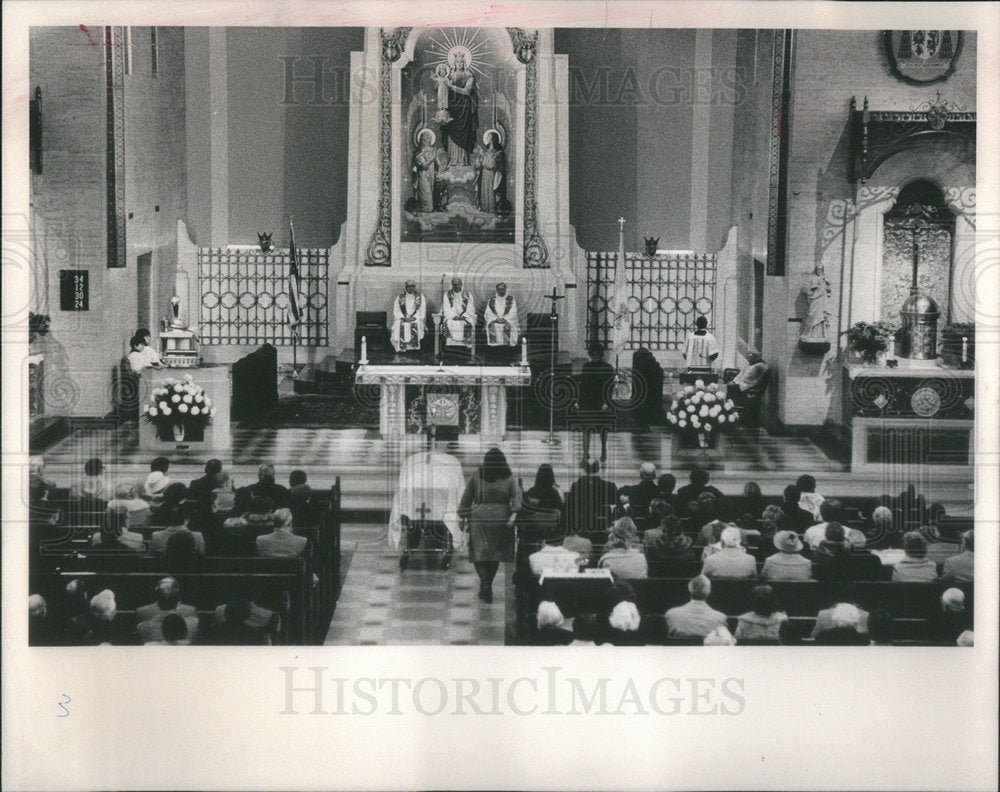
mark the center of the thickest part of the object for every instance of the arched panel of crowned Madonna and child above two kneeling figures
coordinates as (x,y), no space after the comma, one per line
(459,114)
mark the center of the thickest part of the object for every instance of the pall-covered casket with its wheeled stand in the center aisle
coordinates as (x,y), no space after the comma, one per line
(430,488)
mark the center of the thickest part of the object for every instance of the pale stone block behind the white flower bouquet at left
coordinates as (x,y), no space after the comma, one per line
(217,382)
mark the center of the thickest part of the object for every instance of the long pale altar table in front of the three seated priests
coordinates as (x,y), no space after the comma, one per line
(491,382)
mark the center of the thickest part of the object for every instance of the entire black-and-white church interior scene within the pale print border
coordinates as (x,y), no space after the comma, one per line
(501,336)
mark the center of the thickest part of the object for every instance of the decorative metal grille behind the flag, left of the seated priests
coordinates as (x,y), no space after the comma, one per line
(244,296)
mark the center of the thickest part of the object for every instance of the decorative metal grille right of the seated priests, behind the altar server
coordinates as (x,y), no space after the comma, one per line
(666,294)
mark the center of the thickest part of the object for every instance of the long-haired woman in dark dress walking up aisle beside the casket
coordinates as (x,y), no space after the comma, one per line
(489,505)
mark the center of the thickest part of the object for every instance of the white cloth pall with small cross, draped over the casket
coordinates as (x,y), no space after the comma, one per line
(433,480)
